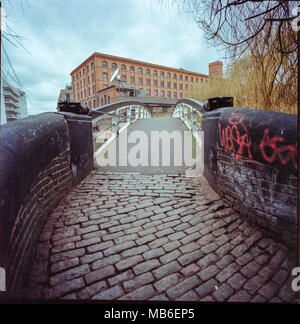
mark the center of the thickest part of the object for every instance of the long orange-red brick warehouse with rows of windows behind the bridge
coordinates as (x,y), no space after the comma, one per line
(92,86)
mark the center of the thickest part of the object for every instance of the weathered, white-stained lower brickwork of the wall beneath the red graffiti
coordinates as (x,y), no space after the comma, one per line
(265,195)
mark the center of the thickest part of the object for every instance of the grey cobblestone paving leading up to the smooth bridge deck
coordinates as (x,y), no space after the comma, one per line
(135,237)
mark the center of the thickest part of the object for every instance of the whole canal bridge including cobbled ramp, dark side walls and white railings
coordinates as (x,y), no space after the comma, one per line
(71,228)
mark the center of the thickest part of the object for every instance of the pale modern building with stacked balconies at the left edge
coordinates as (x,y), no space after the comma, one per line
(13,103)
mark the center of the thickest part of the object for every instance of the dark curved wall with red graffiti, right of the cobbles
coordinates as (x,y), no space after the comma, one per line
(251,162)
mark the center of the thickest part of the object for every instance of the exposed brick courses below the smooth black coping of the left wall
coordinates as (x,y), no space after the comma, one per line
(47,191)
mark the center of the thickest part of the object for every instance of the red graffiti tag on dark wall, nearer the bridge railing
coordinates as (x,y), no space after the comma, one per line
(235,137)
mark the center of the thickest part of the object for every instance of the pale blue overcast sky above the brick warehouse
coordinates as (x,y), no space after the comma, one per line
(60,34)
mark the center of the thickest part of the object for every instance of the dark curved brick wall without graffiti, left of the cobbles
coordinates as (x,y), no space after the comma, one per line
(36,157)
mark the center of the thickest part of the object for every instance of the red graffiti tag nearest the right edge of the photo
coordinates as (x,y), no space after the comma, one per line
(285,153)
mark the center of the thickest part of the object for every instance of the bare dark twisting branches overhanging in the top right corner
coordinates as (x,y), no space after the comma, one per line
(237,25)
